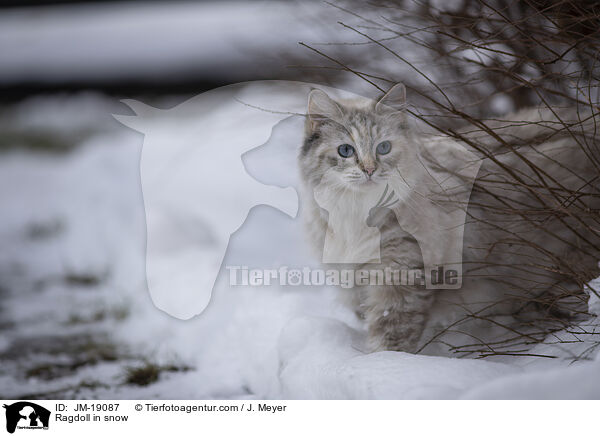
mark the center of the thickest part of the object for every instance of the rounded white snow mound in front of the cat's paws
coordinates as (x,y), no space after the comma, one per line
(321,359)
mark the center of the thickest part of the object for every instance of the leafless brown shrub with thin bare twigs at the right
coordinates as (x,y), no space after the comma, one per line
(467,64)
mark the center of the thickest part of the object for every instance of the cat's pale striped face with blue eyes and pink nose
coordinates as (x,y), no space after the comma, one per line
(354,146)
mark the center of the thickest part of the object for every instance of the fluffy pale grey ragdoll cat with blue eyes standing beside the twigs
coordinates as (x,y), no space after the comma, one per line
(523,238)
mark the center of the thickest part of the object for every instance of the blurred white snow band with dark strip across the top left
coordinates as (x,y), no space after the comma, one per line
(153,48)
